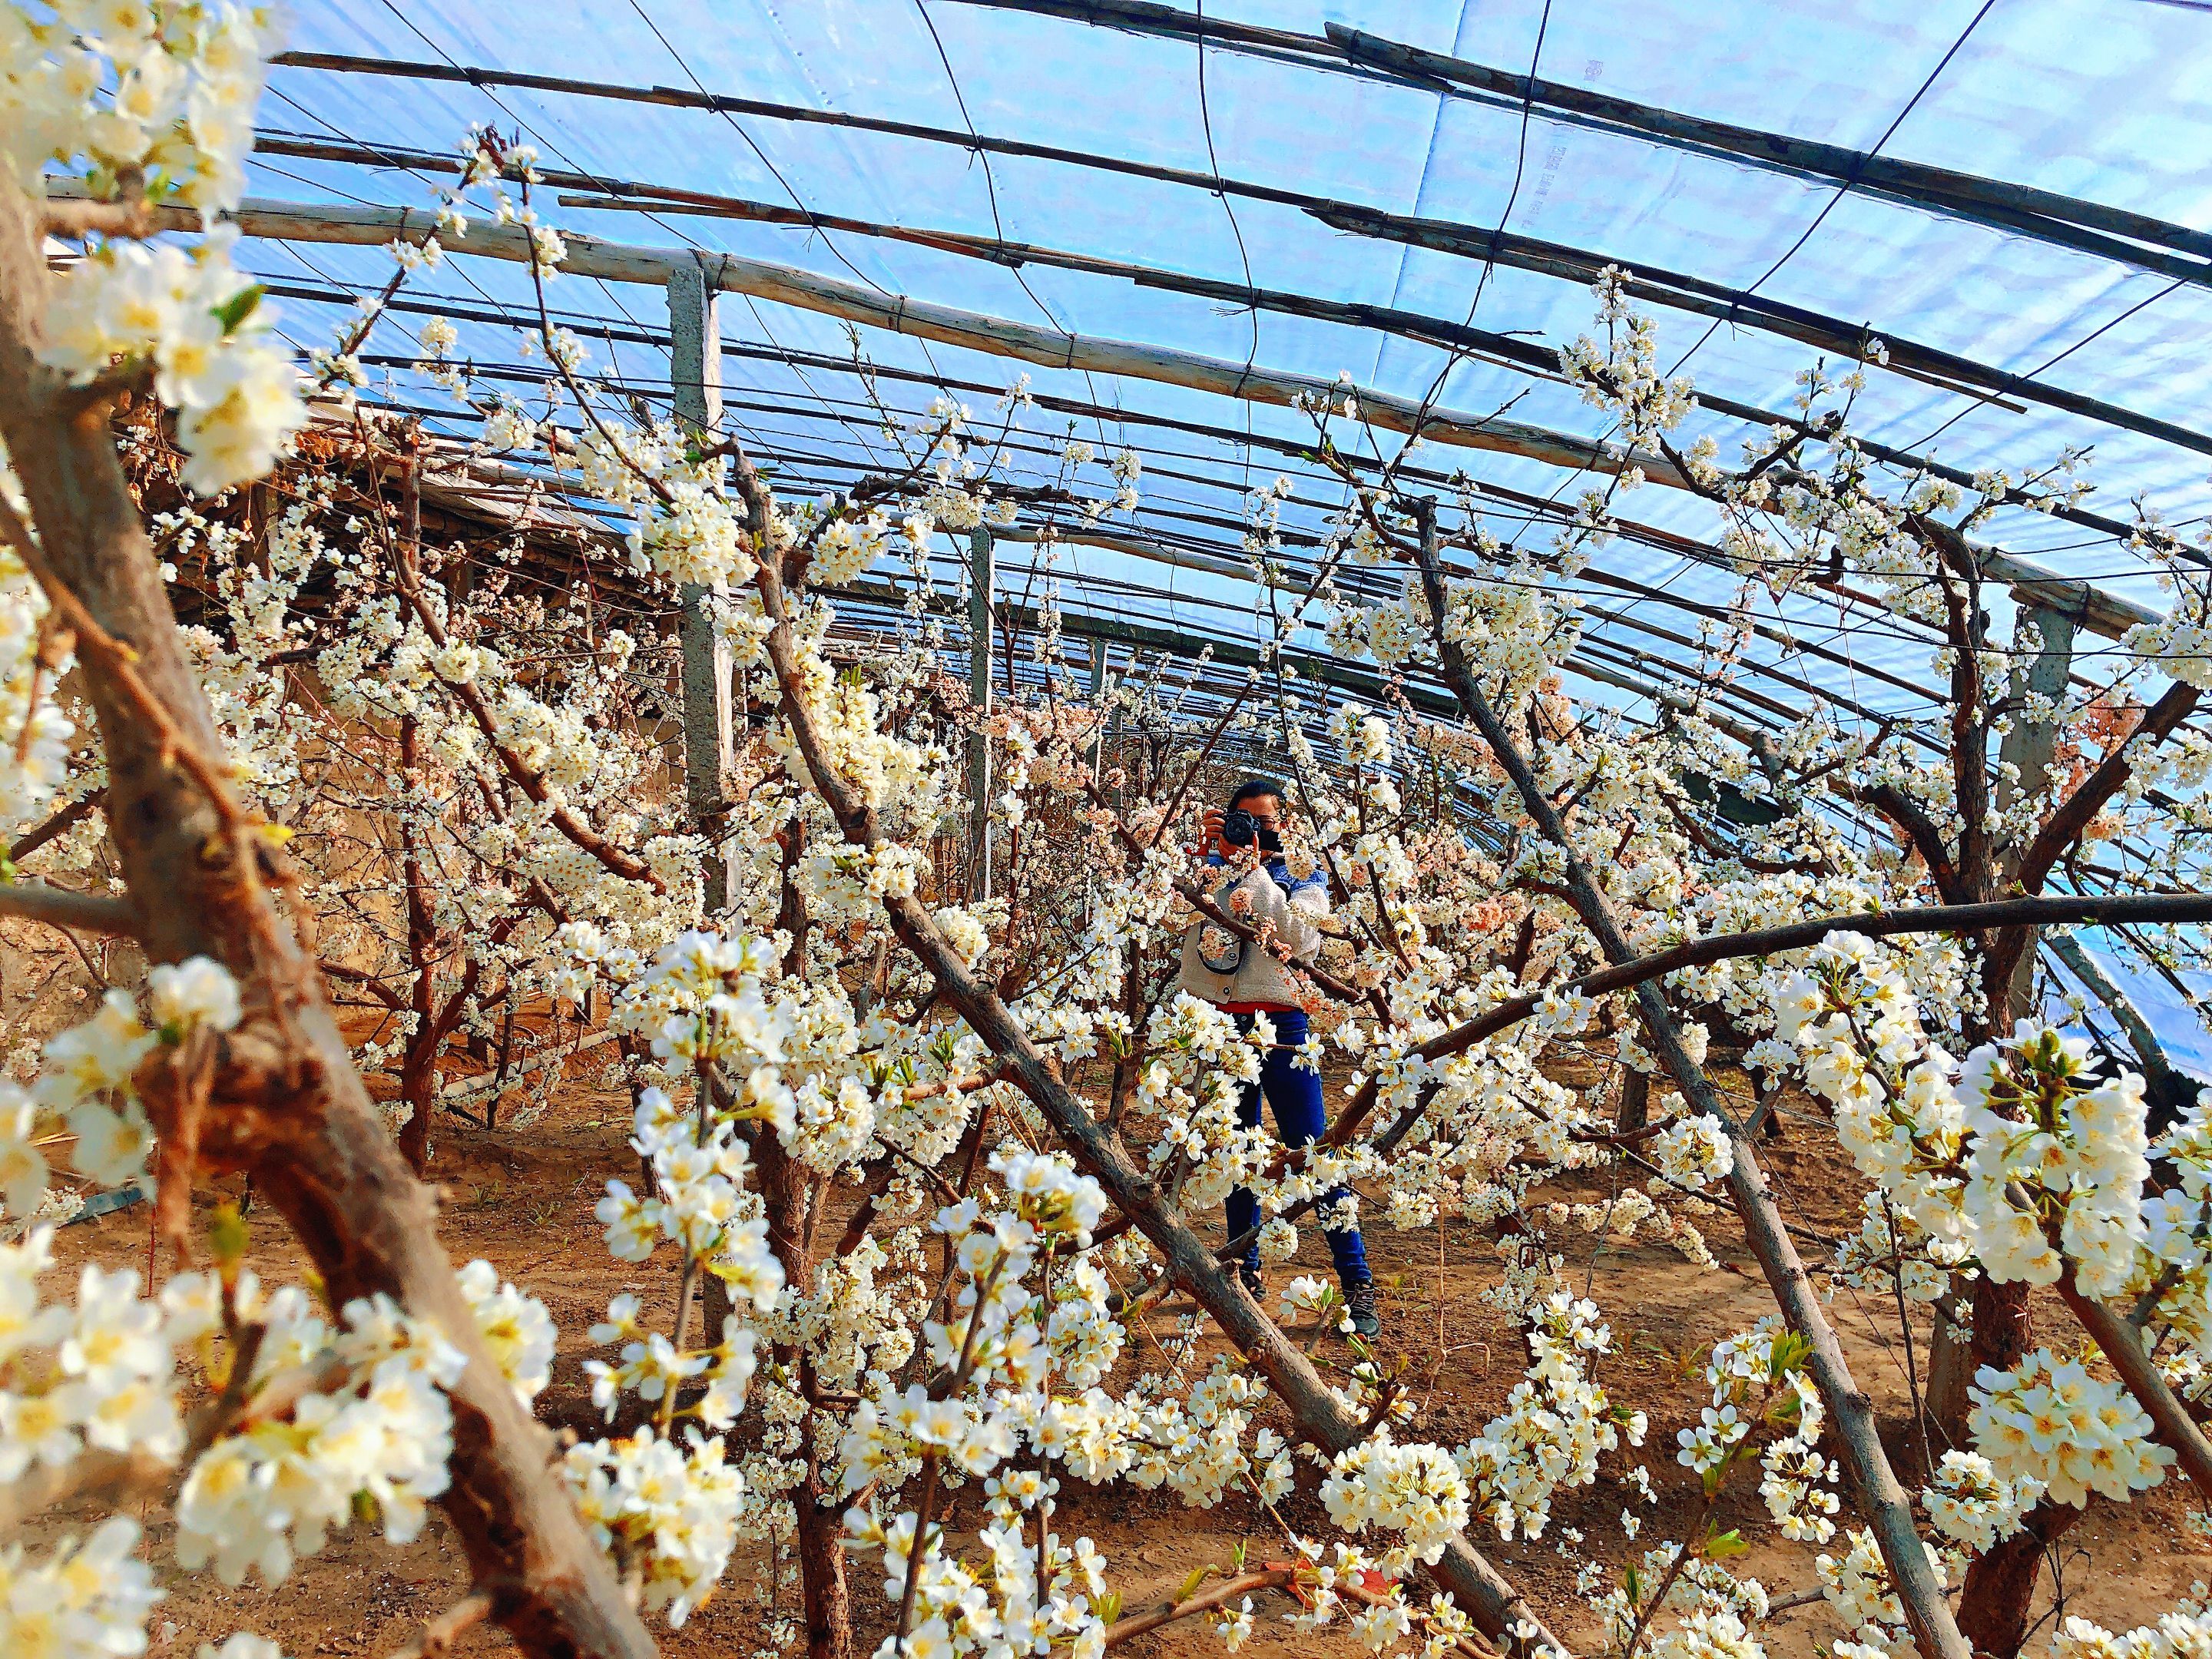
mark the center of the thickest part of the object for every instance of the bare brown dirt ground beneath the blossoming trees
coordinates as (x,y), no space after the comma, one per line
(523,1200)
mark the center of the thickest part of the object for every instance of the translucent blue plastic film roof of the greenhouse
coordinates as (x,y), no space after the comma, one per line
(2098,103)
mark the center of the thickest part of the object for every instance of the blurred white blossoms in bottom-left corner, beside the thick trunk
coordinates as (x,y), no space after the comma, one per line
(333,1421)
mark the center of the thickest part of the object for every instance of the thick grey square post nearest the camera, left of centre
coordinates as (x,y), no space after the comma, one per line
(696,373)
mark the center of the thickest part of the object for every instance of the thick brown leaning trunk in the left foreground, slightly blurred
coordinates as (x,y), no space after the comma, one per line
(286,1103)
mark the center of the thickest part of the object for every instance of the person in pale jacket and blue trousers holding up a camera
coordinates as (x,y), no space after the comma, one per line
(1249,979)
